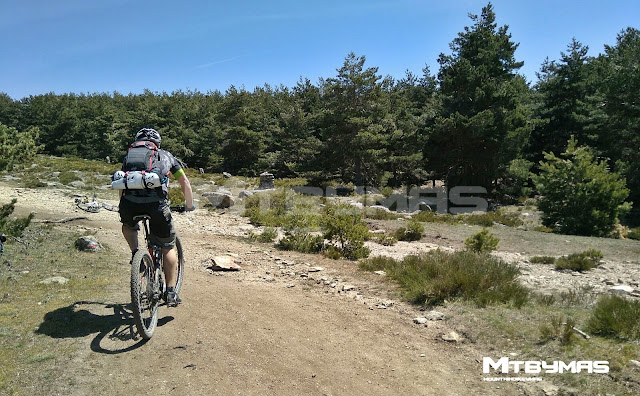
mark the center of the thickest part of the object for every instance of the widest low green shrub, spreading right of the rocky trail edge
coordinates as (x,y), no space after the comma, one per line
(434,277)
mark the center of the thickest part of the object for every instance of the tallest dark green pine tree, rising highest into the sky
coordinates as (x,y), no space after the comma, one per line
(484,122)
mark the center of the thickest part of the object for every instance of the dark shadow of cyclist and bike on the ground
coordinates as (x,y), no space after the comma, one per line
(116,330)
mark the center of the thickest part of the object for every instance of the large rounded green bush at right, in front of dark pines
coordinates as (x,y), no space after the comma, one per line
(579,194)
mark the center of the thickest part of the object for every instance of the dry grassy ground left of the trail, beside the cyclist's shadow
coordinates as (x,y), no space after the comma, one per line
(27,343)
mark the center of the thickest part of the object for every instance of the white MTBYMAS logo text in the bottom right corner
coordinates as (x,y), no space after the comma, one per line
(506,366)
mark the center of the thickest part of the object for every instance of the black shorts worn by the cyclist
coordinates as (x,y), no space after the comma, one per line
(160,225)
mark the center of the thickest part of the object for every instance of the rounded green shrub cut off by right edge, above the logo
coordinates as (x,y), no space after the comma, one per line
(615,317)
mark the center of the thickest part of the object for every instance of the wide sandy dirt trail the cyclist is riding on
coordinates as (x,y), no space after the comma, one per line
(266,330)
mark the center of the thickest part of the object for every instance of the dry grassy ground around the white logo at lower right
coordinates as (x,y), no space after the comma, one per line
(545,333)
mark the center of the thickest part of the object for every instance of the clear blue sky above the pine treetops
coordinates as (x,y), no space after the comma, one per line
(87,46)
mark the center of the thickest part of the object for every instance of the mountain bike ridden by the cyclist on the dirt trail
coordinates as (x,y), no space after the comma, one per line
(147,284)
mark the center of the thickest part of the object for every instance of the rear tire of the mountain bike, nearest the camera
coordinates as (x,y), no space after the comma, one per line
(144,303)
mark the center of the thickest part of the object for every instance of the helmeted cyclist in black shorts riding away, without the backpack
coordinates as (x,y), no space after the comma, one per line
(153,202)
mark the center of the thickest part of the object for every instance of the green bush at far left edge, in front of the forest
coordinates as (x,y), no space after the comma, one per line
(15,146)
